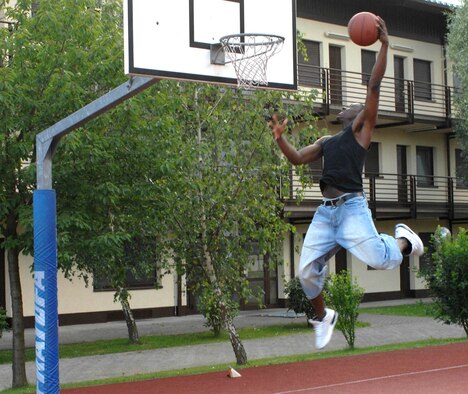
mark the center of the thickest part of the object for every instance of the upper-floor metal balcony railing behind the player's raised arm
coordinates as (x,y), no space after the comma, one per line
(414,99)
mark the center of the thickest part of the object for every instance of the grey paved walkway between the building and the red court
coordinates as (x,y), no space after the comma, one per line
(382,330)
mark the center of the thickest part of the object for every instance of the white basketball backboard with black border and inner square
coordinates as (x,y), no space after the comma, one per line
(171,38)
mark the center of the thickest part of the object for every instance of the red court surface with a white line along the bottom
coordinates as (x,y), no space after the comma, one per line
(434,369)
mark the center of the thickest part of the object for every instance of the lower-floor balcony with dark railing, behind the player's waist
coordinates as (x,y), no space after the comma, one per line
(392,196)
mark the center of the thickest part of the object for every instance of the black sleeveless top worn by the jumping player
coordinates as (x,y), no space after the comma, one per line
(343,162)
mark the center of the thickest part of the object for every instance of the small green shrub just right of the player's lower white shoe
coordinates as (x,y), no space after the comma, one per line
(344,295)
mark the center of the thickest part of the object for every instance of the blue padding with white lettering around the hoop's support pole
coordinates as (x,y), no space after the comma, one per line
(45,290)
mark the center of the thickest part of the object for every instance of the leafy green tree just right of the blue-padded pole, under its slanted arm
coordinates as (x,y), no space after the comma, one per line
(109,178)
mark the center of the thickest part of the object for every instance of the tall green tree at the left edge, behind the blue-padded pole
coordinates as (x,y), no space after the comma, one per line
(55,59)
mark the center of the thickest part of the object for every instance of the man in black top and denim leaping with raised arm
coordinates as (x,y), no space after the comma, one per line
(343,220)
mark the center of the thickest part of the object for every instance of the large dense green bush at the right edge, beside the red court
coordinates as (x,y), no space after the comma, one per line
(446,276)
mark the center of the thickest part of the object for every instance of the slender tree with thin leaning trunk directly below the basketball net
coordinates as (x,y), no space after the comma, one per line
(228,196)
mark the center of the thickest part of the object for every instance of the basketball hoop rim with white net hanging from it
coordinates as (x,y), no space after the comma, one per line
(249,54)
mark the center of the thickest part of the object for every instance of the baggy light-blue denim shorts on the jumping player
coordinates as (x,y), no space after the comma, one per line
(349,226)
